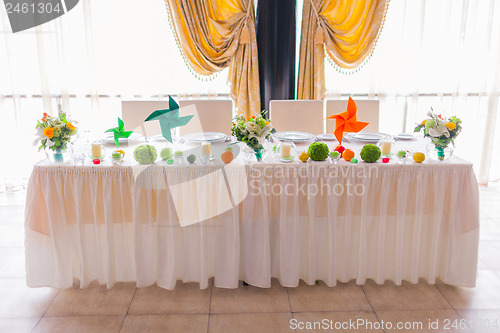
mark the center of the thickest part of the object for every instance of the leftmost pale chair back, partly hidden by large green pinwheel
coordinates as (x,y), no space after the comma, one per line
(135,112)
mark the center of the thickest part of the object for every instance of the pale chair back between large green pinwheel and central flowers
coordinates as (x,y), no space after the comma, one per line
(209,116)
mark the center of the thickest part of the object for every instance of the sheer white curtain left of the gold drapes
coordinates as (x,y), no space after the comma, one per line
(88,60)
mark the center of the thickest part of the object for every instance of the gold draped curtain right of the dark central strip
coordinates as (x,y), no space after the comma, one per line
(346,30)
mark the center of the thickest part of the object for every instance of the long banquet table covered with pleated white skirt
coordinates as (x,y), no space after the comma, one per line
(252,222)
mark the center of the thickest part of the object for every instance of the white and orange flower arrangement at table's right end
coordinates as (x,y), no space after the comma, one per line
(441,131)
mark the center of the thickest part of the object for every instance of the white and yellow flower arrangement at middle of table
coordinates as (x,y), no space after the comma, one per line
(252,130)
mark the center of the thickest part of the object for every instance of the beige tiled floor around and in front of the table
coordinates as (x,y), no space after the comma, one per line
(125,308)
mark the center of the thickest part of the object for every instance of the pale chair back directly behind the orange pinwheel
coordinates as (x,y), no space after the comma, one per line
(368,111)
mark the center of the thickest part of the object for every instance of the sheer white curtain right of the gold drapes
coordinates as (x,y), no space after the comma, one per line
(444,54)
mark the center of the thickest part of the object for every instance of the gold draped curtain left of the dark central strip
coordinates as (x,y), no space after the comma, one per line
(215,34)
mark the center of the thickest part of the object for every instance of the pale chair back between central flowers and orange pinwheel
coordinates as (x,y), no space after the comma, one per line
(297,115)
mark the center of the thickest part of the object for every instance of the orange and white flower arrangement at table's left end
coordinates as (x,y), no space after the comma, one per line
(54,132)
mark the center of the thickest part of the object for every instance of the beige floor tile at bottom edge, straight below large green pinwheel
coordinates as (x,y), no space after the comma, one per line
(166,323)
